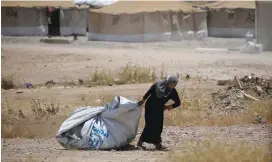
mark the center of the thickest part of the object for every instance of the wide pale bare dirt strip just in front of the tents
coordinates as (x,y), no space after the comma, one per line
(39,62)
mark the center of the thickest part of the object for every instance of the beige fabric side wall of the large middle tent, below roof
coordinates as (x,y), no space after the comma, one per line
(156,26)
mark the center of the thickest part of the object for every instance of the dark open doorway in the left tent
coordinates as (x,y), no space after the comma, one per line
(53,21)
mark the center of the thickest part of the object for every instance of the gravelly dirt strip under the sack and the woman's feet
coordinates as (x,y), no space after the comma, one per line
(176,138)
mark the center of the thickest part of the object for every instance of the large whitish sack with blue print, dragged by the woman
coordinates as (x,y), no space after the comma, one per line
(112,126)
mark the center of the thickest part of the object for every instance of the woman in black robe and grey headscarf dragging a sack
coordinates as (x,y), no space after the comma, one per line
(157,96)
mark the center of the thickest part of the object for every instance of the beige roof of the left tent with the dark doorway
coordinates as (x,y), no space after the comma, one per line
(63,4)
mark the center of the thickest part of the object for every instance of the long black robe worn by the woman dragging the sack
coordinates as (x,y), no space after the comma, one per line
(154,114)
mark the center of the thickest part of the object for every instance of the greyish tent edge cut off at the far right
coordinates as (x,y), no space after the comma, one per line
(264,24)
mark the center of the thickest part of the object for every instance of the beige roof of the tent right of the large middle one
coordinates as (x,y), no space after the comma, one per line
(230,4)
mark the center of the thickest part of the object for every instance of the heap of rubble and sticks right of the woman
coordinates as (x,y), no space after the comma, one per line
(239,93)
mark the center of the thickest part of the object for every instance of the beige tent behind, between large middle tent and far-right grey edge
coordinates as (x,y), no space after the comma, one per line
(230,18)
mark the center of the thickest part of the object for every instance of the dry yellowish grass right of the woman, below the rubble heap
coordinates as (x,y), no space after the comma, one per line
(193,117)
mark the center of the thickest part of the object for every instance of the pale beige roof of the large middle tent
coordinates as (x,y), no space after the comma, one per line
(122,7)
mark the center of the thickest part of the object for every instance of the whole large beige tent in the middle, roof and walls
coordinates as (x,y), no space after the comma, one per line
(144,21)
